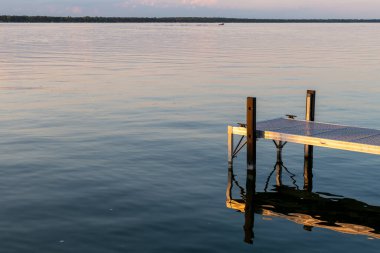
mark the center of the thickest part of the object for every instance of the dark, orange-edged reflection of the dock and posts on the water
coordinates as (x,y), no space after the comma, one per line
(322,210)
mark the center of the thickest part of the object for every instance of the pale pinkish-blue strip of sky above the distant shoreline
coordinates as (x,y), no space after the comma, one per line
(196,8)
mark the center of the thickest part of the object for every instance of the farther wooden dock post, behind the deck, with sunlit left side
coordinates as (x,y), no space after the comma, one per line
(308,158)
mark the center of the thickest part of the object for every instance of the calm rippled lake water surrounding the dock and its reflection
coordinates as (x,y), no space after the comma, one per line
(113,137)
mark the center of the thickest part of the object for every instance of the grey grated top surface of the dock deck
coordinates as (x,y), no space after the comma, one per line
(321,130)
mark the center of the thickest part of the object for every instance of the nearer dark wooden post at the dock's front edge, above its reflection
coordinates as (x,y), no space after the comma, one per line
(251,133)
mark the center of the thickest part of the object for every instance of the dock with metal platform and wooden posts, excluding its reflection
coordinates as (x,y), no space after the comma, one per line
(307,132)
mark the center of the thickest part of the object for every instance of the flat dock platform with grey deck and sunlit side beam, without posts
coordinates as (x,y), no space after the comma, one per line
(317,134)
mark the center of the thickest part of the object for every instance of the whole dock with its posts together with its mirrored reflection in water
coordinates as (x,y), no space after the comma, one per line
(301,206)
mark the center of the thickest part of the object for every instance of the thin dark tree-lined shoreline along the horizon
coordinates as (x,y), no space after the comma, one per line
(51,19)
